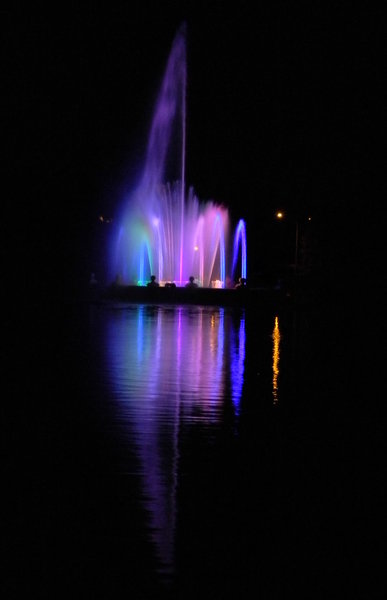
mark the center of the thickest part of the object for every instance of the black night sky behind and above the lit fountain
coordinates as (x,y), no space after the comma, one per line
(281,98)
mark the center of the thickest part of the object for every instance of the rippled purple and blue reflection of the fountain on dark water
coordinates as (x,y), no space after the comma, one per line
(170,368)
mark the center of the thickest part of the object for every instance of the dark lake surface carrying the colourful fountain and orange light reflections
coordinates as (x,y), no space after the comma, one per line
(193,452)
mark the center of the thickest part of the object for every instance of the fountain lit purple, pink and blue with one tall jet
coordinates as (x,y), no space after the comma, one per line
(164,229)
